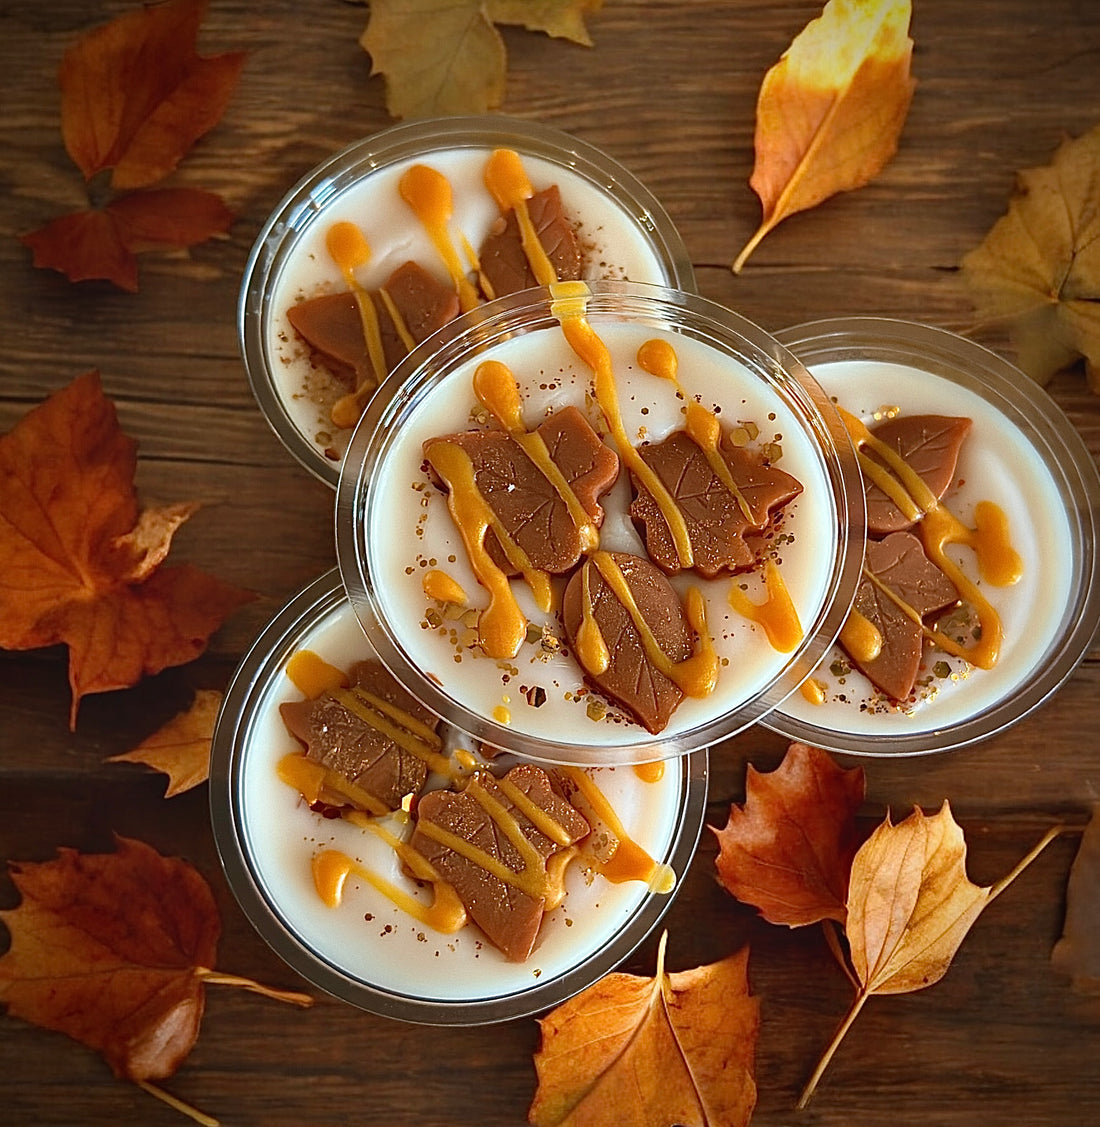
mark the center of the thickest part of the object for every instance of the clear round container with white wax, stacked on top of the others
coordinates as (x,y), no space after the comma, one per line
(392,522)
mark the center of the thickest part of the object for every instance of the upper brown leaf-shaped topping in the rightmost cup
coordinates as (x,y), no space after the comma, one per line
(930,445)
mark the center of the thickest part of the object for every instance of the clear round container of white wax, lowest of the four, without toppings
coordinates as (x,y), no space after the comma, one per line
(368,952)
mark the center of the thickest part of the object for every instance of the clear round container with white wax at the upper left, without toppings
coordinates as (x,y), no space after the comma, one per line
(624,228)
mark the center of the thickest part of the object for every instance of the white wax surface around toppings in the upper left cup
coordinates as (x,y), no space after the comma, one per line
(616,247)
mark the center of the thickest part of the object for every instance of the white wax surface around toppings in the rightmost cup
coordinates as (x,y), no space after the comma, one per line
(997,464)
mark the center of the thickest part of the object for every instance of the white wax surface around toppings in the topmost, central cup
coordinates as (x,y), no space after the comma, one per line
(410,530)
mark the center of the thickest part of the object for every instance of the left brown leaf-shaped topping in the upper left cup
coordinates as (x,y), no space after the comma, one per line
(332,325)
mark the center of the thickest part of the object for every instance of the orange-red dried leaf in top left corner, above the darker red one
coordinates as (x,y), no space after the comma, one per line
(136,95)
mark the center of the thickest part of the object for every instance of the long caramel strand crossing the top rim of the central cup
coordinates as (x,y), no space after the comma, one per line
(569,305)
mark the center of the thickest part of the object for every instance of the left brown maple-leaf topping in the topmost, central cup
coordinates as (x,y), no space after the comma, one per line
(535,516)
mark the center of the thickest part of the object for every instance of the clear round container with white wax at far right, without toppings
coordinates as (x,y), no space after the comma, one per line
(1022,454)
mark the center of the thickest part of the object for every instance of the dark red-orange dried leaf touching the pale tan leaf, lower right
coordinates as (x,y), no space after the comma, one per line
(789,849)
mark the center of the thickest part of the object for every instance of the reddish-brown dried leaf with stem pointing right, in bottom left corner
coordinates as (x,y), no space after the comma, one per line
(114,949)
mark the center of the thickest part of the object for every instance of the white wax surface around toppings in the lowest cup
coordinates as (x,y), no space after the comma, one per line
(368,937)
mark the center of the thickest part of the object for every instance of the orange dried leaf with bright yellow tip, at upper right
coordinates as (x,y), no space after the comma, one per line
(831,111)
